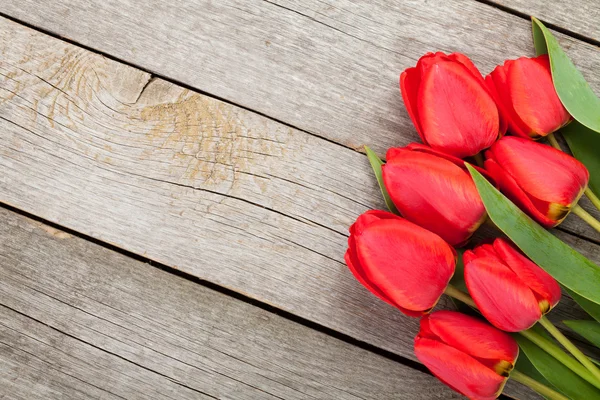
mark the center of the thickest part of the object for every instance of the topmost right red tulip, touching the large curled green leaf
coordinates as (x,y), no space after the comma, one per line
(526,97)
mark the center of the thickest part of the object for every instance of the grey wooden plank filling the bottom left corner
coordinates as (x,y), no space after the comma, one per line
(81,321)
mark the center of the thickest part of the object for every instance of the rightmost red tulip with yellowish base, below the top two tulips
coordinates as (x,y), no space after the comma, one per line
(544,182)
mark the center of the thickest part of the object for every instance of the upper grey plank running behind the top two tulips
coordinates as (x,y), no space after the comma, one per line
(328,67)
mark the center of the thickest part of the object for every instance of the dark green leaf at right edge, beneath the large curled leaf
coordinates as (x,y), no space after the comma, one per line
(585,145)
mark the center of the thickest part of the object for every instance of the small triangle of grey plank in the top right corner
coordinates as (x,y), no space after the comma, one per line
(581,17)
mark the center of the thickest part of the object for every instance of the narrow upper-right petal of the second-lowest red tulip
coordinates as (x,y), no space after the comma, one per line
(538,280)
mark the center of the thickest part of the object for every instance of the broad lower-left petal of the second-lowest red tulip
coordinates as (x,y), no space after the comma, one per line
(501,296)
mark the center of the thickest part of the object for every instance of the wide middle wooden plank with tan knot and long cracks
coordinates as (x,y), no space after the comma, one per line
(194,183)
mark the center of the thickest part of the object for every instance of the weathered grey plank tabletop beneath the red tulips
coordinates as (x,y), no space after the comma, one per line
(178,178)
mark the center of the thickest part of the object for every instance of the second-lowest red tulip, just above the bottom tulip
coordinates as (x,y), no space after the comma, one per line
(509,289)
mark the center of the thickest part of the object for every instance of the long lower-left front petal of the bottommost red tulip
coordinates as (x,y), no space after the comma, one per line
(458,370)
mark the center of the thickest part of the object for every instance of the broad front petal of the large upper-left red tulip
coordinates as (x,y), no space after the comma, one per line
(456,112)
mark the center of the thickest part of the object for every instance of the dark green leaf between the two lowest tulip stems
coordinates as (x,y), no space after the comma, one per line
(559,376)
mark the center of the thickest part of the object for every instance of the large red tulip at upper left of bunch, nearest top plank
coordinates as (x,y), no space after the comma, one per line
(450,105)
